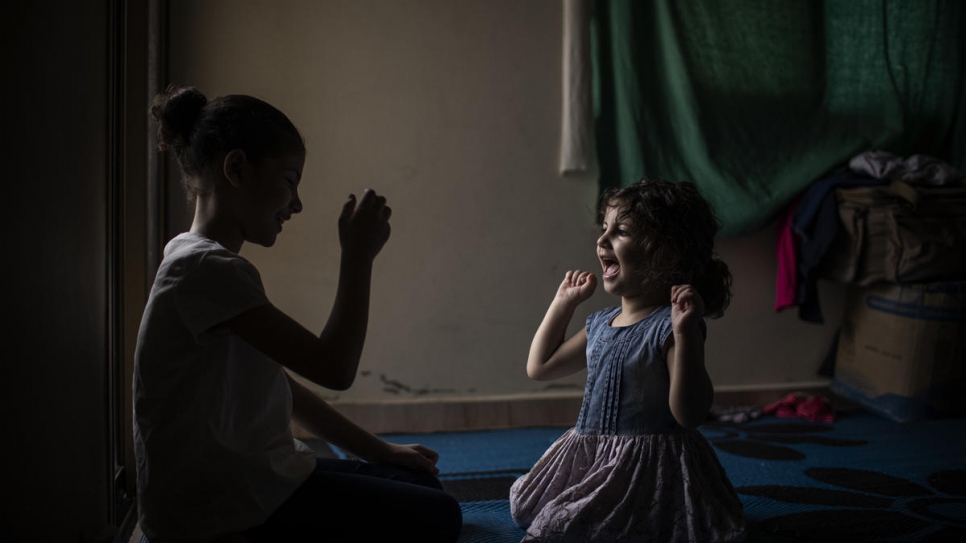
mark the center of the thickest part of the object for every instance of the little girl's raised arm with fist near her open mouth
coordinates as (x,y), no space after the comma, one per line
(550,356)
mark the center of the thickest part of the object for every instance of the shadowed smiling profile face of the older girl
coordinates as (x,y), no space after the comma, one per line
(272,197)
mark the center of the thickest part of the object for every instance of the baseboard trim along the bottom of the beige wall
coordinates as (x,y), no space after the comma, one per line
(521,411)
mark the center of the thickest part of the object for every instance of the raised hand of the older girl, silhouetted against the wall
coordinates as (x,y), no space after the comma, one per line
(364,226)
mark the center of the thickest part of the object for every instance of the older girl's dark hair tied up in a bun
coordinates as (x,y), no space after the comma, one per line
(200,131)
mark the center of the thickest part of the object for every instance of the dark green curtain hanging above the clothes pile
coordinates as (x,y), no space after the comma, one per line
(753,100)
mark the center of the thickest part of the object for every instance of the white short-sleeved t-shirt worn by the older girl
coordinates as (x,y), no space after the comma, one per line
(212,436)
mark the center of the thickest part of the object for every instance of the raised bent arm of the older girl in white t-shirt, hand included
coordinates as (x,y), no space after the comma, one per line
(331,358)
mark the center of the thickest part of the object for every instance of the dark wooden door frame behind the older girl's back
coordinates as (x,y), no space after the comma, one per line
(137,62)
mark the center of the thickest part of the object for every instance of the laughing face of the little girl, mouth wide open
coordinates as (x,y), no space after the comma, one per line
(620,255)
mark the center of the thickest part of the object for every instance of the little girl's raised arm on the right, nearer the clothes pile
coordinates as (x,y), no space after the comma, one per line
(692,392)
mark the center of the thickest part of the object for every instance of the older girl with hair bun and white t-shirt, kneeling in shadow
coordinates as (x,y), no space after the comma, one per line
(216,459)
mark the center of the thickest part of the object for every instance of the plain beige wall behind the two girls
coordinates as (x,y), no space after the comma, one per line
(452,110)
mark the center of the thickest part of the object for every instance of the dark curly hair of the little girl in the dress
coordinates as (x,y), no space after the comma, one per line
(675,228)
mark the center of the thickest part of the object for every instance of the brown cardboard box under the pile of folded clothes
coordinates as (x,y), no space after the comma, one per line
(902,349)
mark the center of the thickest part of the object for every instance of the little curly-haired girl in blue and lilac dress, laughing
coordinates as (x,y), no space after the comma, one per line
(634,468)
